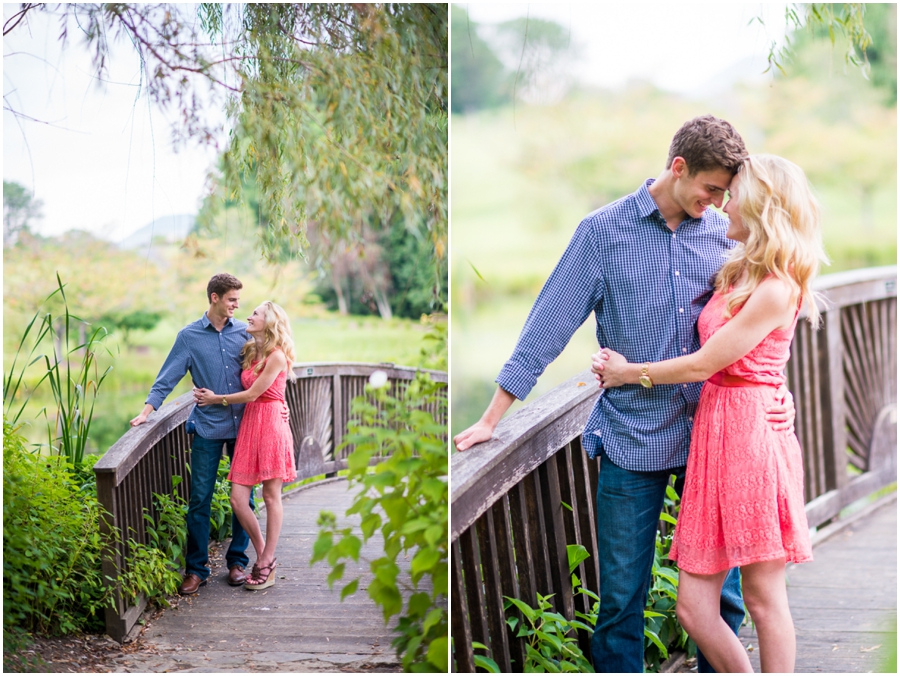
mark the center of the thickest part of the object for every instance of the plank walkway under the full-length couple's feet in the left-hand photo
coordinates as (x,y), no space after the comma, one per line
(298,625)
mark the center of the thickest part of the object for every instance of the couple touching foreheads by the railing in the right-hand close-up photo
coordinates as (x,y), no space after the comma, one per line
(683,295)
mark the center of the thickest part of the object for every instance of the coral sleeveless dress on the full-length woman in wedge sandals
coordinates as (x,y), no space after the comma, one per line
(265,447)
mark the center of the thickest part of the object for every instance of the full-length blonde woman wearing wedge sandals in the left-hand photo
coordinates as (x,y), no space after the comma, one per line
(264,451)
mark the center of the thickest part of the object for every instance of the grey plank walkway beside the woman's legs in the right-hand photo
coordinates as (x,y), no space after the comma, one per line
(844,603)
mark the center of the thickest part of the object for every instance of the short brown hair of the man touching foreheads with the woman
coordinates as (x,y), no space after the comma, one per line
(707,143)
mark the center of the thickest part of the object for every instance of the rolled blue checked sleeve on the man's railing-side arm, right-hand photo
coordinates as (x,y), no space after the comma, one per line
(572,292)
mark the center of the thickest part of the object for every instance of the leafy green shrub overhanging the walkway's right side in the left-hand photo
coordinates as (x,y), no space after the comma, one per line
(405,496)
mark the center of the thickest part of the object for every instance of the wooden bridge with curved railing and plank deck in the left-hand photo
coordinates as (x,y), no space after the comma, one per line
(313,626)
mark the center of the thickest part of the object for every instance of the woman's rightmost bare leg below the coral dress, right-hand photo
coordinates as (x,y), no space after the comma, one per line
(765,594)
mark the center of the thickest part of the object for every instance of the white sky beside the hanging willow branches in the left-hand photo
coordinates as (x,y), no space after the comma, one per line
(106,164)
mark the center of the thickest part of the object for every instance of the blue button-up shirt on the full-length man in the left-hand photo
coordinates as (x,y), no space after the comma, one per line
(213,358)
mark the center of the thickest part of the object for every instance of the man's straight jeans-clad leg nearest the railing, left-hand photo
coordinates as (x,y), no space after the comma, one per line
(205,454)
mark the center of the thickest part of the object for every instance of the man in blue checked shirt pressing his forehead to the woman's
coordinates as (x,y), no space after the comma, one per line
(644,265)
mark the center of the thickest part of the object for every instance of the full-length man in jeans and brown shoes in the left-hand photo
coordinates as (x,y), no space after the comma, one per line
(210,349)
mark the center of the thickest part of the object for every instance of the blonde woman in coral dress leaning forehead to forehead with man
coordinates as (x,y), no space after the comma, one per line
(743,497)
